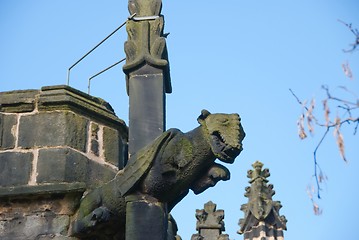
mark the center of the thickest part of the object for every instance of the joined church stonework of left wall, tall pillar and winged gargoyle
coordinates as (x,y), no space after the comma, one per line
(71,169)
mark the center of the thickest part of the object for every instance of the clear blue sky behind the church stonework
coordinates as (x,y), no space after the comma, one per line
(233,56)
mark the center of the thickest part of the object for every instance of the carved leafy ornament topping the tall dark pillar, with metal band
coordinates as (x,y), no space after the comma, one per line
(146,44)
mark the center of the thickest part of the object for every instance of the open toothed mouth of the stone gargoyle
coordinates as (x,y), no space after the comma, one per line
(223,150)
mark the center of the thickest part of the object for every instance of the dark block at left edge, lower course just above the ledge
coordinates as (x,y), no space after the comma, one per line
(15,168)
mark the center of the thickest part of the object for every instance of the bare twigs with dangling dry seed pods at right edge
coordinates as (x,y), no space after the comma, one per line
(345,104)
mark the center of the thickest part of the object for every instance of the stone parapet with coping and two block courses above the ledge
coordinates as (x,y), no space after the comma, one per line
(59,134)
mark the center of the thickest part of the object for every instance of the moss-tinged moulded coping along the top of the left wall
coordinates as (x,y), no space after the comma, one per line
(61,97)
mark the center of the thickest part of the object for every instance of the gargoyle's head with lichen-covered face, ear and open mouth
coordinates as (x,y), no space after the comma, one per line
(225,134)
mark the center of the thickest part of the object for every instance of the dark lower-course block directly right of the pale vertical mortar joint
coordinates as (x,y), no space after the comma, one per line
(61,165)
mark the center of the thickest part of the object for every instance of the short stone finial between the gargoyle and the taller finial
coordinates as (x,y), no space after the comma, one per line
(210,223)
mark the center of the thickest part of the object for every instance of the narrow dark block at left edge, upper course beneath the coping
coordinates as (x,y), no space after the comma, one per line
(7,131)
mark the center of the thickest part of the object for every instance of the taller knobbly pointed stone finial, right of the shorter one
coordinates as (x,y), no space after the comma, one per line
(261,212)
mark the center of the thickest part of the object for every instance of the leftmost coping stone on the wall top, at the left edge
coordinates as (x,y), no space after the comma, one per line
(18,101)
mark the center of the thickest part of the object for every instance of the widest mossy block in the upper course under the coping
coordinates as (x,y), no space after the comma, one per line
(53,129)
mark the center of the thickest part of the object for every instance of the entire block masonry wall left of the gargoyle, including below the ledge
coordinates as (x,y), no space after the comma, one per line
(55,143)
